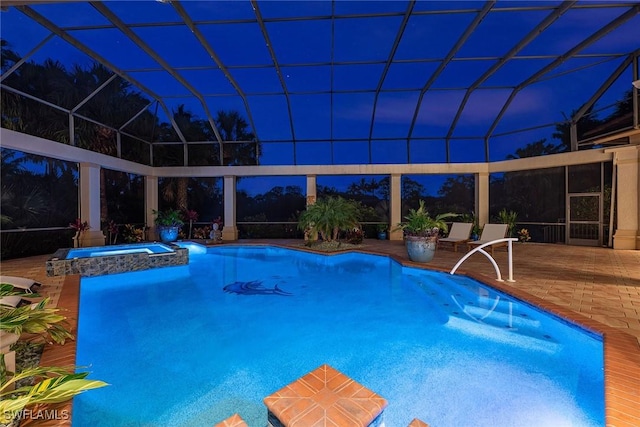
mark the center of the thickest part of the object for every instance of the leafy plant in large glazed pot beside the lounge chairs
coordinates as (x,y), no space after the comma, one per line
(421,232)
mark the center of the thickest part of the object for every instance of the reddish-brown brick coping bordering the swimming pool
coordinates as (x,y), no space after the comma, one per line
(621,350)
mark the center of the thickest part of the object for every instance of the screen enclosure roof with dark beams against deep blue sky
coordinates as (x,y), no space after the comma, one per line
(480,79)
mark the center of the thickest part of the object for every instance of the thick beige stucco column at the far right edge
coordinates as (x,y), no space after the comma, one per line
(626,160)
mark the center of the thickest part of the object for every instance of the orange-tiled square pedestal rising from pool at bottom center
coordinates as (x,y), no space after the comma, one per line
(328,395)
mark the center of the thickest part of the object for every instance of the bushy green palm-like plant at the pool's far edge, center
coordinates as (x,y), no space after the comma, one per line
(329,216)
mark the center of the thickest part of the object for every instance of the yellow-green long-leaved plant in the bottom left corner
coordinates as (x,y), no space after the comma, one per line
(55,385)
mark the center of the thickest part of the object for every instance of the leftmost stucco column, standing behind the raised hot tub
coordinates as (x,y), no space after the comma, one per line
(90,204)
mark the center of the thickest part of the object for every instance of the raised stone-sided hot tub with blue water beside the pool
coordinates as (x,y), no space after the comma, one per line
(100,260)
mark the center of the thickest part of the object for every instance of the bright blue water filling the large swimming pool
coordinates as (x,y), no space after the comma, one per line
(179,350)
